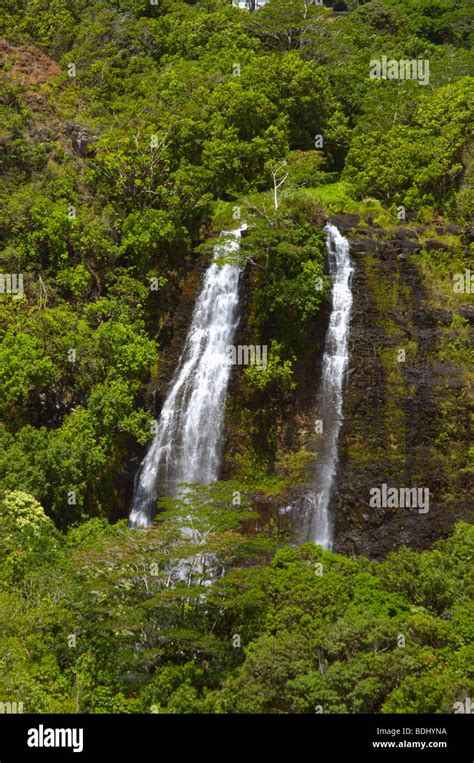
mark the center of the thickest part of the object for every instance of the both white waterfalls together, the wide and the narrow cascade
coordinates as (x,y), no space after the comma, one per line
(187,445)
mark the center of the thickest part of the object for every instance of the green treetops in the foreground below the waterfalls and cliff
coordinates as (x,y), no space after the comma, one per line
(106,619)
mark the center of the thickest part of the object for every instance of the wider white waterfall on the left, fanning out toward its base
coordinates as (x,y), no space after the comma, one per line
(187,444)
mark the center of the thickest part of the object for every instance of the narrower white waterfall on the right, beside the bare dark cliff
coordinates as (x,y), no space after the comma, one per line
(317,525)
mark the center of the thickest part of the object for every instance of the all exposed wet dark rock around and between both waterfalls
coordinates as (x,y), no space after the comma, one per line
(406,423)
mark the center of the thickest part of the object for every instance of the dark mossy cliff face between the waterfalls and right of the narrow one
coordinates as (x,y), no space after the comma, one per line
(407,397)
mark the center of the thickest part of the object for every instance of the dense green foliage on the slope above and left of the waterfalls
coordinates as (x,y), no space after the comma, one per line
(110,174)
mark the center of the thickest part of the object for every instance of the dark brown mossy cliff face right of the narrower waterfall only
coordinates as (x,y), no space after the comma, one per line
(408,395)
